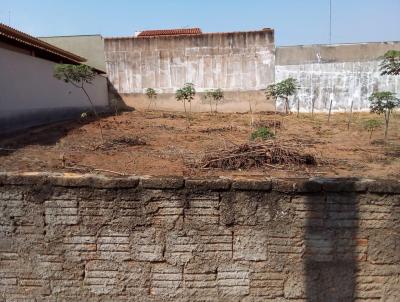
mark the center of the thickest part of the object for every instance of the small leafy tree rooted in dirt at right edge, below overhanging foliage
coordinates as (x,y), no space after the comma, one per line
(384,102)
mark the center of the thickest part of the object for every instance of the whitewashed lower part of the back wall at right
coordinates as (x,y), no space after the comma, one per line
(344,82)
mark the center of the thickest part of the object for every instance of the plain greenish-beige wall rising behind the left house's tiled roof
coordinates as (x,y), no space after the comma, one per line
(90,47)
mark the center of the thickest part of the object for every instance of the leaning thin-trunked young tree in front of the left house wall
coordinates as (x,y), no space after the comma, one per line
(78,76)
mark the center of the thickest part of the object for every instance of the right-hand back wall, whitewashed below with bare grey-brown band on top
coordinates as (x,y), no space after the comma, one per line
(344,73)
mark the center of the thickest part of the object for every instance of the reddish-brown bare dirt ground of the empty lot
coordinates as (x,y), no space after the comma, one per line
(160,144)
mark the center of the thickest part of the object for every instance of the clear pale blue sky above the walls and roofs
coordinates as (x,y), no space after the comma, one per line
(294,21)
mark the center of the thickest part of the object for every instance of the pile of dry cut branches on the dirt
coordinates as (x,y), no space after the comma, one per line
(266,154)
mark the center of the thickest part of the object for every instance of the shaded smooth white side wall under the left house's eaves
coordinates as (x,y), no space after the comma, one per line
(30,95)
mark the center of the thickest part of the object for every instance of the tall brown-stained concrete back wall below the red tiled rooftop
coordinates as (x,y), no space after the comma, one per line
(240,63)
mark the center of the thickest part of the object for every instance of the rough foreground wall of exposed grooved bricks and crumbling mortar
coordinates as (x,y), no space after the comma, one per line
(90,238)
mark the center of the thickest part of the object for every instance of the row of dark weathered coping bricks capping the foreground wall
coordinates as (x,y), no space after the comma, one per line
(288,185)
